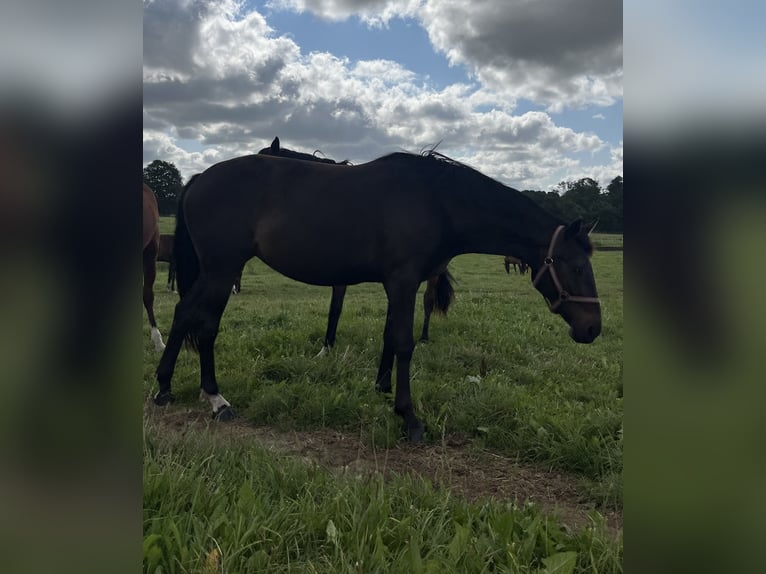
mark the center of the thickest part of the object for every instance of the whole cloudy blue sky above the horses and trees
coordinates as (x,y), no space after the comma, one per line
(528,92)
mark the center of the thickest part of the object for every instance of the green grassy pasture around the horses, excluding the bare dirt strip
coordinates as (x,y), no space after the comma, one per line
(500,376)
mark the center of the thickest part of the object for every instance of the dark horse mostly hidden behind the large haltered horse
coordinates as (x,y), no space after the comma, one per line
(439,292)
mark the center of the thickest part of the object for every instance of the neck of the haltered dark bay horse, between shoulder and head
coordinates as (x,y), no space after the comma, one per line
(498,221)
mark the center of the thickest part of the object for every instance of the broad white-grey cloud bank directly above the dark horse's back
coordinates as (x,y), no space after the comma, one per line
(241,84)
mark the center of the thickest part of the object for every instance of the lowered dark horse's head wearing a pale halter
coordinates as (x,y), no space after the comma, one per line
(564,276)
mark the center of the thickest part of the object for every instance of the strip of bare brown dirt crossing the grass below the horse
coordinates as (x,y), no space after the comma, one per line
(455,464)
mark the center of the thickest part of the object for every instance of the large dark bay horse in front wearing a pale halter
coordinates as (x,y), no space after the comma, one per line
(395,220)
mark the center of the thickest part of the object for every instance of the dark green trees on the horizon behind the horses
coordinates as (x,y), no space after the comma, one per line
(576,199)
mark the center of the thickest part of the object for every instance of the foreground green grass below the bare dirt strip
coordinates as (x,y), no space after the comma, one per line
(233,507)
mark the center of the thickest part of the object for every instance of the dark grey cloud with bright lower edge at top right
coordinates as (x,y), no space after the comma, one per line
(561,54)
